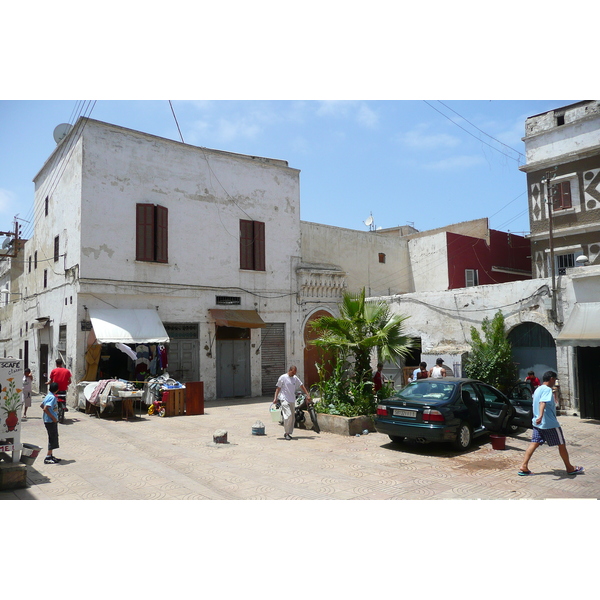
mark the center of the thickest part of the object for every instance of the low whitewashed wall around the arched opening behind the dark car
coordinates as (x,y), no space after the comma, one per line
(443,320)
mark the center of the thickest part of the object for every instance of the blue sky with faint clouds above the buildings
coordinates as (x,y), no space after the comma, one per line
(430,163)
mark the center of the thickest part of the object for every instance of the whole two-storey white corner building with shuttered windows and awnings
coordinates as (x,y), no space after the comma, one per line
(202,245)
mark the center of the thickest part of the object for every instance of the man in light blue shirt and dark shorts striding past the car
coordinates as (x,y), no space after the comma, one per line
(546,428)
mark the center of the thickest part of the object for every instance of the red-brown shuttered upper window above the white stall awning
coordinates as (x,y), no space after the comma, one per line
(152,229)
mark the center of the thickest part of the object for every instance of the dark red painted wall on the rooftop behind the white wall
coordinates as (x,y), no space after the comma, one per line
(506,250)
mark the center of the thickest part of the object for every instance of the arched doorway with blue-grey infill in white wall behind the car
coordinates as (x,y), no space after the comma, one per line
(533,349)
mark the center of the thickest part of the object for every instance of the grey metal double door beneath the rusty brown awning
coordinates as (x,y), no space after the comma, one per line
(233,362)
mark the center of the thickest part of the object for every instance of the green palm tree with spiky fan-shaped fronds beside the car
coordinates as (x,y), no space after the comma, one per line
(363,326)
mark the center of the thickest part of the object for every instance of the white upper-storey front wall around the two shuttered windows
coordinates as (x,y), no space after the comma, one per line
(206,192)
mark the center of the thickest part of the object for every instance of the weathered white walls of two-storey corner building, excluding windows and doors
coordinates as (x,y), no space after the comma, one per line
(86,194)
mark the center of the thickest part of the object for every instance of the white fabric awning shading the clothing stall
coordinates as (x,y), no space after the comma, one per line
(128,326)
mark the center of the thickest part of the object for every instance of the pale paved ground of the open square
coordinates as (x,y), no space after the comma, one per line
(153,458)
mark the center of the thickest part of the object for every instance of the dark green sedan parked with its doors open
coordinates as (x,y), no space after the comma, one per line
(451,410)
